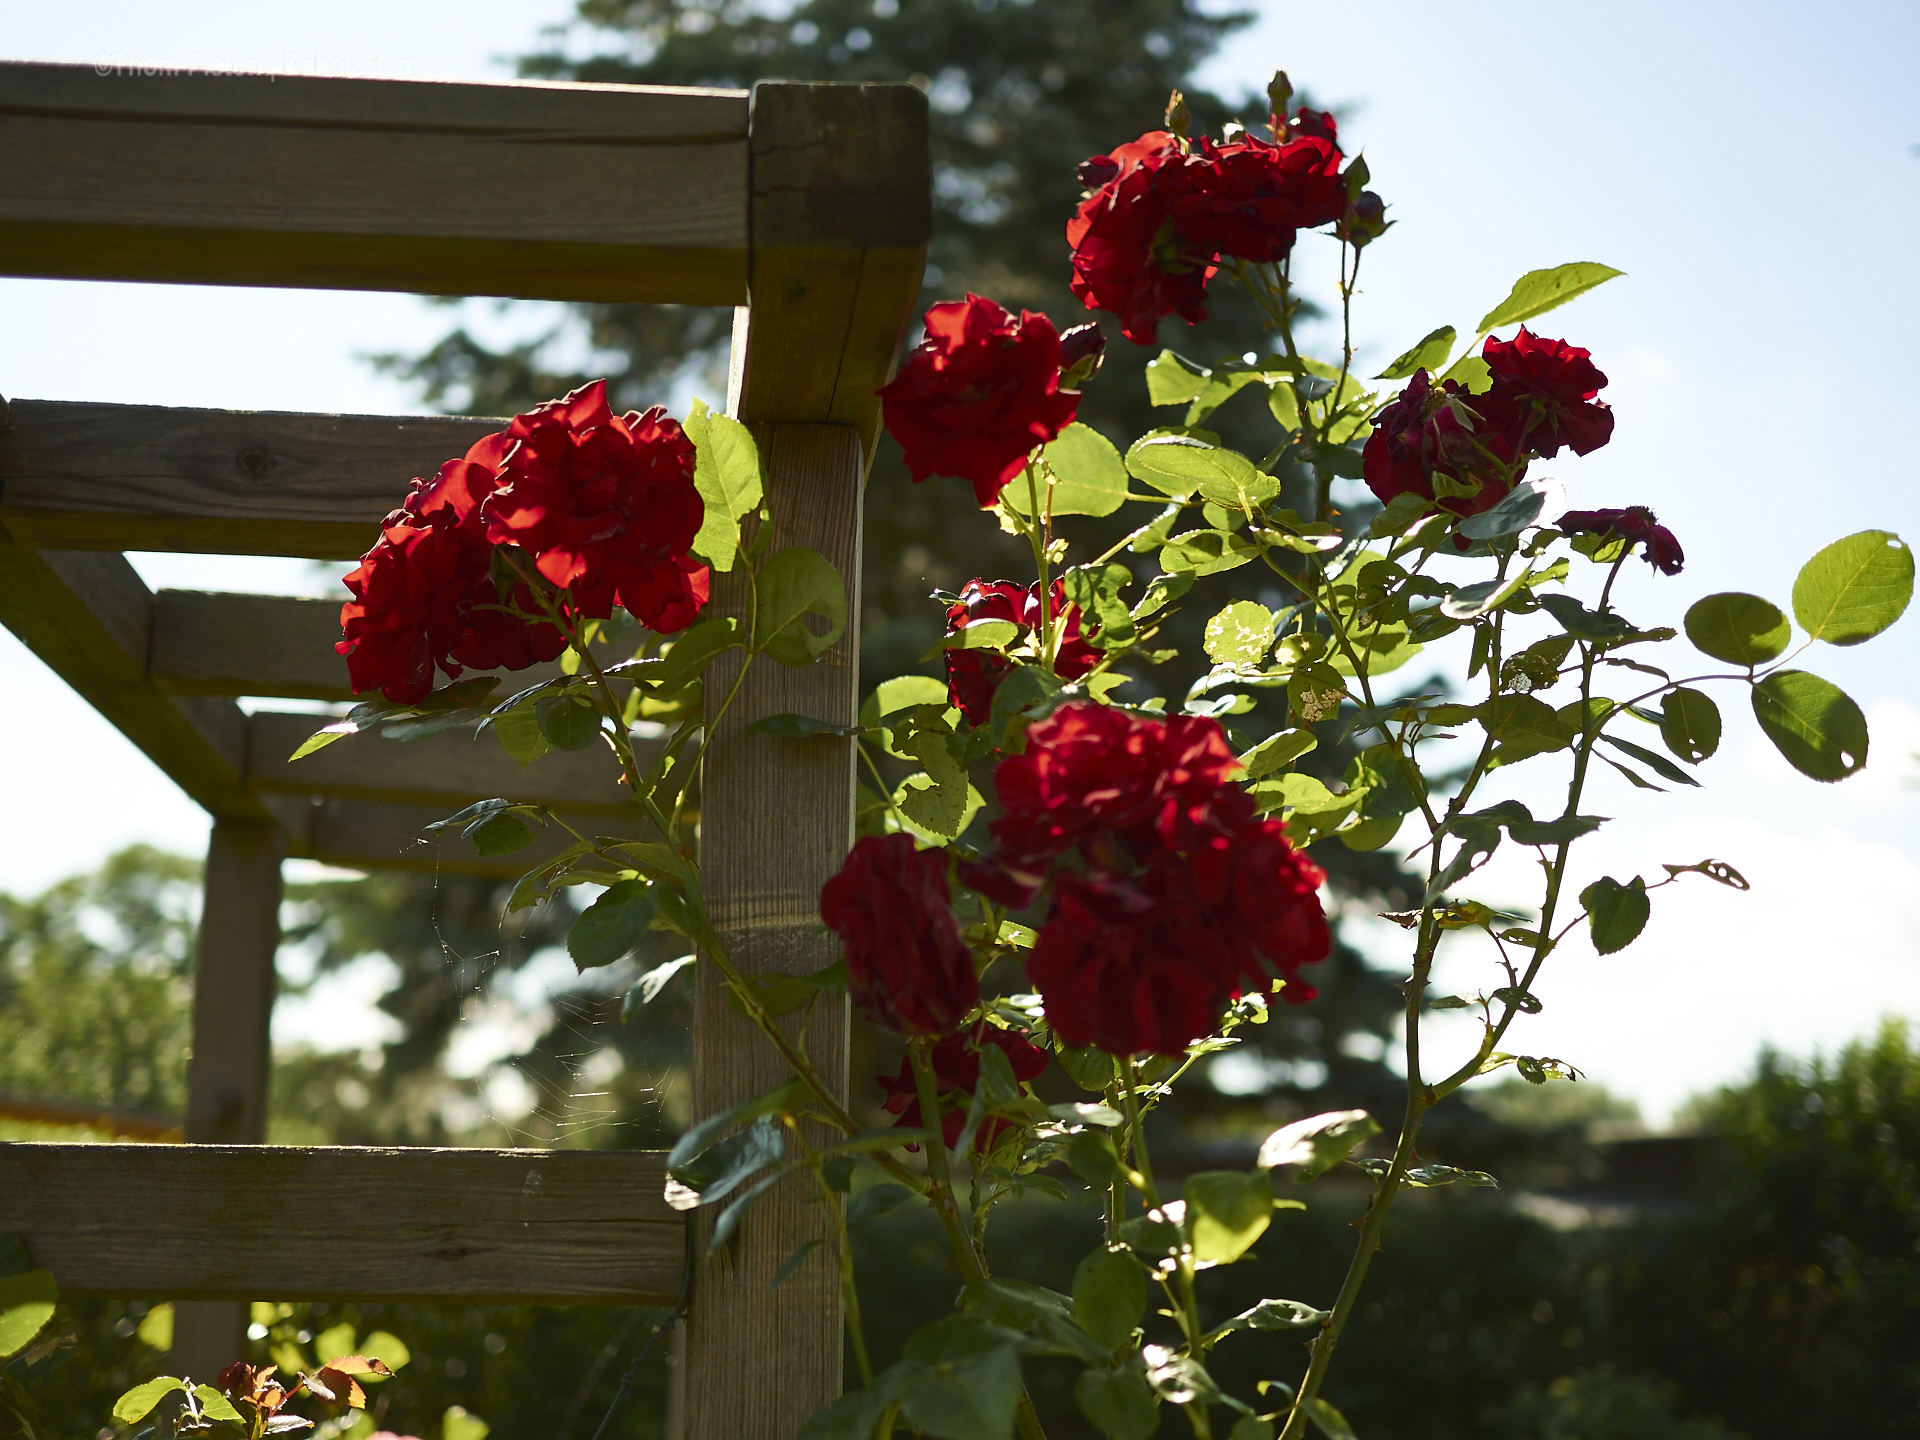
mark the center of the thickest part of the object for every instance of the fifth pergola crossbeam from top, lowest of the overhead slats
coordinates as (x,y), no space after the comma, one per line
(383,836)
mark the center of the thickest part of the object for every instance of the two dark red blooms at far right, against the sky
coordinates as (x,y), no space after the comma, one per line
(1466,452)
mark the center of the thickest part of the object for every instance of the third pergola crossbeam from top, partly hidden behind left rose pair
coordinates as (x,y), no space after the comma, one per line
(276,646)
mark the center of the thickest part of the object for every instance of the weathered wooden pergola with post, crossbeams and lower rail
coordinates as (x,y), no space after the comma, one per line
(805,208)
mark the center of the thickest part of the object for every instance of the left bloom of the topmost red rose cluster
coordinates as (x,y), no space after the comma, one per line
(1128,256)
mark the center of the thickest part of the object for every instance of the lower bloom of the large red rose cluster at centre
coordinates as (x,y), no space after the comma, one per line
(1147,963)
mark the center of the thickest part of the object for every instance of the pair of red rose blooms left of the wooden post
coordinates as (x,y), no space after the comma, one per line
(602,506)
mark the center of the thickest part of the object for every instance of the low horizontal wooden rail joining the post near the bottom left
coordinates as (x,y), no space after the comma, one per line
(489,1228)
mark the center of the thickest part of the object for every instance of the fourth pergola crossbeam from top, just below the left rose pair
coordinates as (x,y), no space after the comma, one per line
(450,769)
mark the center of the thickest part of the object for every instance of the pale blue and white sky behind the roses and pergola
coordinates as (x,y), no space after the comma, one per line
(1752,170)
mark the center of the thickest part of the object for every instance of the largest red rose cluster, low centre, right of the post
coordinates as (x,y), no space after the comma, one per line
(1168,896)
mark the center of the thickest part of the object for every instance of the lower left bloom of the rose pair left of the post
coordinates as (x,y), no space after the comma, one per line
(425,594)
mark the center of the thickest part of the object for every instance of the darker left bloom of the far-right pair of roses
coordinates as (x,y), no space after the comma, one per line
(1428,433)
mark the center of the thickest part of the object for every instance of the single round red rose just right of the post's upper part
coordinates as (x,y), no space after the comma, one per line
(978,395)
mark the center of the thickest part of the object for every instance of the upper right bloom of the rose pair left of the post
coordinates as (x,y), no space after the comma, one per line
(606,504)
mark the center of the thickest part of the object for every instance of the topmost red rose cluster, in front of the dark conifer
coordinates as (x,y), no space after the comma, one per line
(1163,212)
